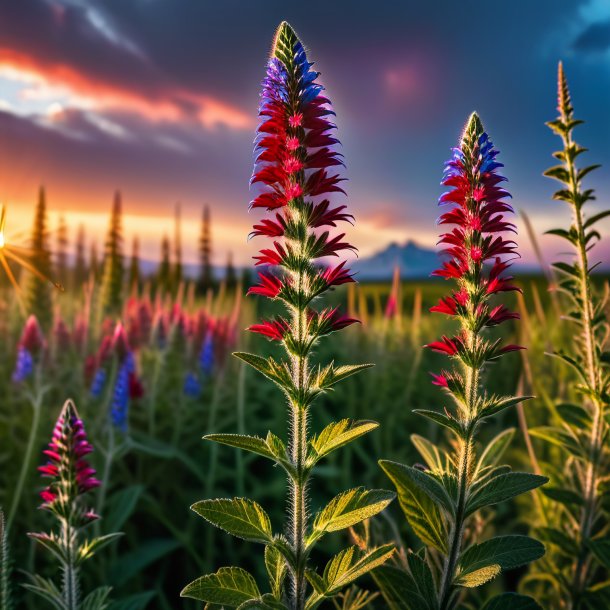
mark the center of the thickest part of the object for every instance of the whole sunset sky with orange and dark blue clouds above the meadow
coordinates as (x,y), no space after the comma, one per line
(158,98)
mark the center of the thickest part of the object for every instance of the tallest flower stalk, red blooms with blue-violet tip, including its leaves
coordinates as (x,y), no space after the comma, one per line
(295,150)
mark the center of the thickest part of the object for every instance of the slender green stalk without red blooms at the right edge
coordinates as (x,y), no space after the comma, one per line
(580,536)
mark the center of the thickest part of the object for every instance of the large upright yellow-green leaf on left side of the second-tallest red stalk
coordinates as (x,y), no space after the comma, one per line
(419,509)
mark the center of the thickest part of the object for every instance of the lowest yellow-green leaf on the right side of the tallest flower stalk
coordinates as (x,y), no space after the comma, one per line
(344,568)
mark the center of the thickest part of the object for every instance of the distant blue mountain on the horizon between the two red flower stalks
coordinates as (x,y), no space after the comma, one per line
(414,261)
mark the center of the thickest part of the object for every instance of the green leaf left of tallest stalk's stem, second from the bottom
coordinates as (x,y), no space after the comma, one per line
(240,517)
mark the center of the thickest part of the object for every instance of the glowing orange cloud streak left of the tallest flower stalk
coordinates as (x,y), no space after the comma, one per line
(165,105)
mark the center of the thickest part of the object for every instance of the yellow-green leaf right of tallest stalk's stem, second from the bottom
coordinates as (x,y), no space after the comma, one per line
(348,508)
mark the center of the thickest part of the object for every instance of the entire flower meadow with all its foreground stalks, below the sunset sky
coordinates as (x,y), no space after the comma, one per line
(477,403)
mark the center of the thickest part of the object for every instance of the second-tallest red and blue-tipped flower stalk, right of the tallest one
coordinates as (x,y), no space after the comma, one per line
(442,499)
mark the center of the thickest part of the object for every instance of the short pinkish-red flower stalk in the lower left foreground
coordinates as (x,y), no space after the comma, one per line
(71,478)
